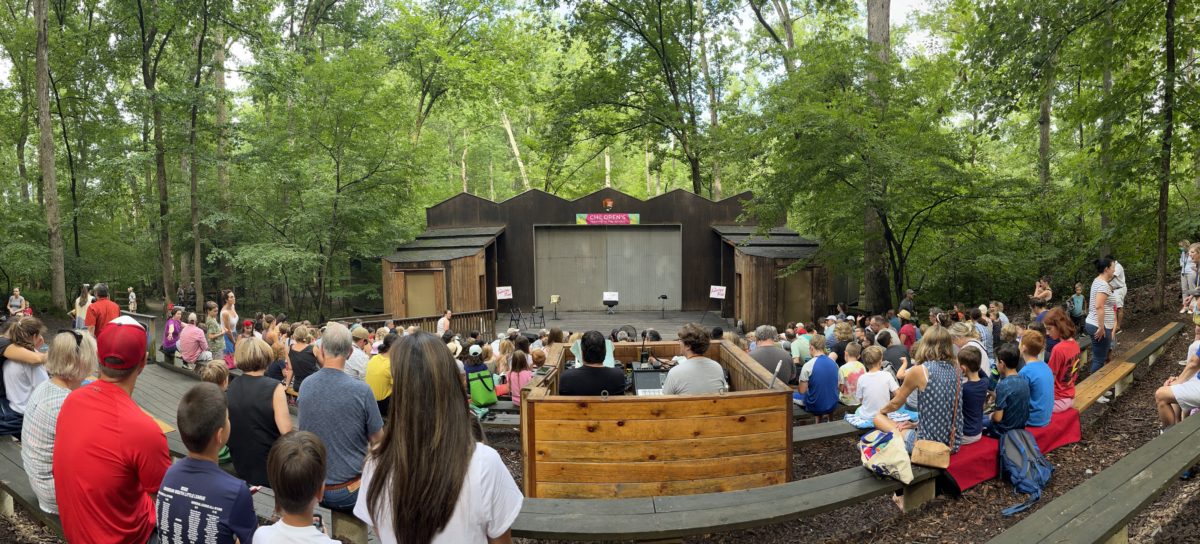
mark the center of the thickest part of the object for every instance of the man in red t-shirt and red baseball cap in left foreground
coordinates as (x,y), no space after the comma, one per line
(110,457)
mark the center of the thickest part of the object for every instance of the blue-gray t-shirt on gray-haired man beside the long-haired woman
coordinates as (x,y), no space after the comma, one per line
(344,414)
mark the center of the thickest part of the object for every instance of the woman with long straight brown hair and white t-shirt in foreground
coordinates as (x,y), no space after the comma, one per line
(429,479)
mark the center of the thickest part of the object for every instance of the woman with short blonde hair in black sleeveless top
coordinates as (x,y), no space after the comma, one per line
(259,411)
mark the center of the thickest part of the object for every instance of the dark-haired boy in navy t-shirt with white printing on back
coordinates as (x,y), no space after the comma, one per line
(197,501)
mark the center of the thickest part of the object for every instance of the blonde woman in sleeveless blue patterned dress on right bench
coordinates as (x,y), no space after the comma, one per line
(938,380)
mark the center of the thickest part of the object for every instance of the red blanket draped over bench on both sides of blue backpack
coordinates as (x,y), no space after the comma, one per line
(975,464)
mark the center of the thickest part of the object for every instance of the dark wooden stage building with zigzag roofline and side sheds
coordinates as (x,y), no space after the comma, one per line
(675,246)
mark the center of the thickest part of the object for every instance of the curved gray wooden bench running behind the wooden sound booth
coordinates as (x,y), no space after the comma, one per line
(669,518)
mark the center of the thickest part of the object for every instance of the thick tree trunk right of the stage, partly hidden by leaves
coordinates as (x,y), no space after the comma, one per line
(875,273)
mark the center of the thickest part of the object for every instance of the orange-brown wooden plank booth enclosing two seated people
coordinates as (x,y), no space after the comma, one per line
(579,447)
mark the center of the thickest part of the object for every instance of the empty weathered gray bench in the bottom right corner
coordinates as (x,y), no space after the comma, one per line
(1101,509)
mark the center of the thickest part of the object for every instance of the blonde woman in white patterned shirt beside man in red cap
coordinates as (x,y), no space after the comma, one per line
(71,360)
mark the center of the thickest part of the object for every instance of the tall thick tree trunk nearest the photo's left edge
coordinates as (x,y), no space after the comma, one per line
(46,157)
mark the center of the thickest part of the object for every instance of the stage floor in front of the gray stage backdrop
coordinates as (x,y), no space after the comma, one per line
(668,325)
